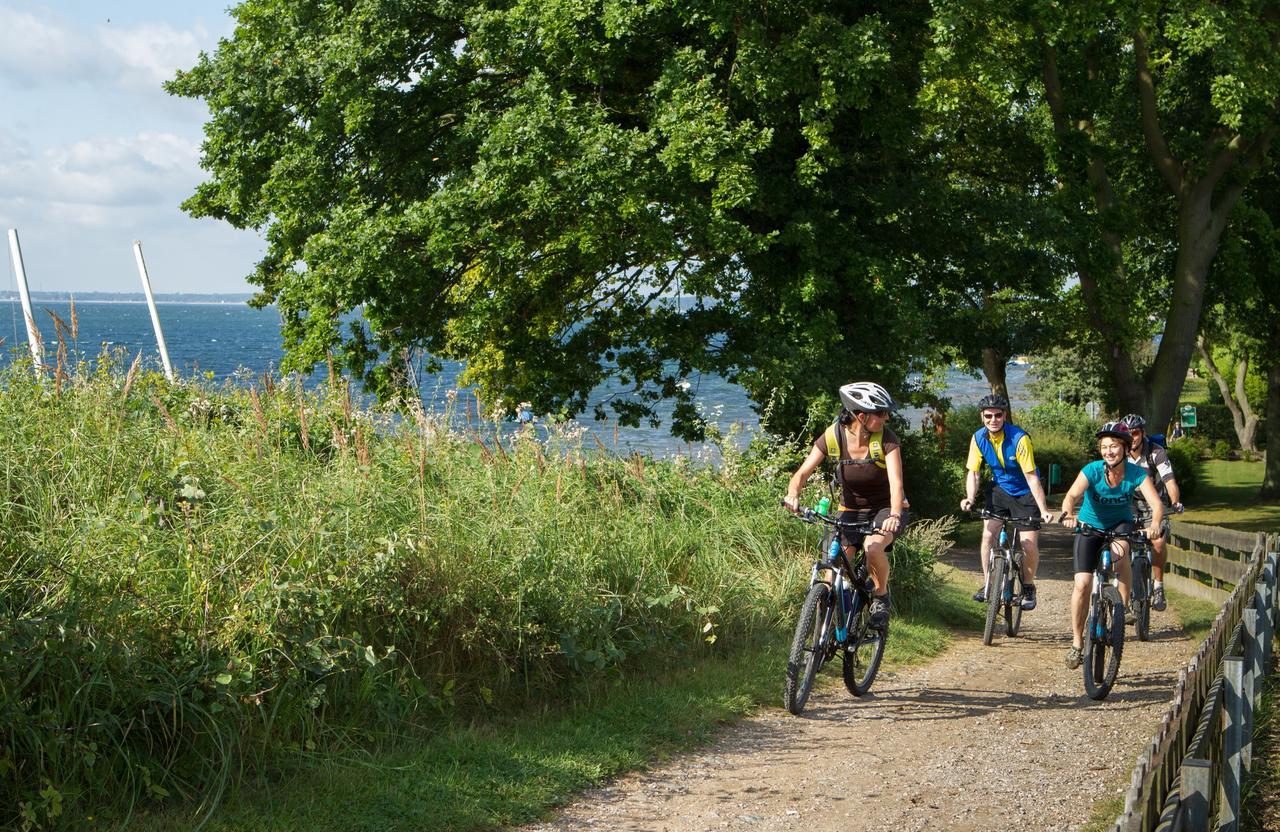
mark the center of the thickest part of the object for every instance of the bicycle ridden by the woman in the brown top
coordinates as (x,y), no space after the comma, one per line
(835,618)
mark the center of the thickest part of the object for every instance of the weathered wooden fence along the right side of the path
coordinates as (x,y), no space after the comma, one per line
(1188,778)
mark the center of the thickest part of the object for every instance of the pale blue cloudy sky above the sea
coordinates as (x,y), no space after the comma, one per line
(95,154)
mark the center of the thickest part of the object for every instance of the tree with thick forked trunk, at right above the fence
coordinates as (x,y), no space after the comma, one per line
(1153,118)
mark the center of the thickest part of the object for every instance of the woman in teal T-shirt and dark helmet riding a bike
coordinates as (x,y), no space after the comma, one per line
(1108,487)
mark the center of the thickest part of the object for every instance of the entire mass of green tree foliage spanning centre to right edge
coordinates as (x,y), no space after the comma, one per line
(788,195)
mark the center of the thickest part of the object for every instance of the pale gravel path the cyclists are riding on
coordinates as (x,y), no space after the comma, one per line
(981,738)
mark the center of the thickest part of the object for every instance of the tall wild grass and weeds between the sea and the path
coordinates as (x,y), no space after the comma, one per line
(198,584)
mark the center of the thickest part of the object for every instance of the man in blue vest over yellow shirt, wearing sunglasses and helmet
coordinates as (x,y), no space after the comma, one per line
(1017,491)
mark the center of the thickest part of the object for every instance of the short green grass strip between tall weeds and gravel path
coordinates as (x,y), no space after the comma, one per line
(514,771)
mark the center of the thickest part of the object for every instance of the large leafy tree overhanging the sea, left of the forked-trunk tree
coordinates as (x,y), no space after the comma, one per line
(566,193)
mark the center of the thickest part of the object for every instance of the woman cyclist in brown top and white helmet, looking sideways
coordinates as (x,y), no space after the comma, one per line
(870,472)
